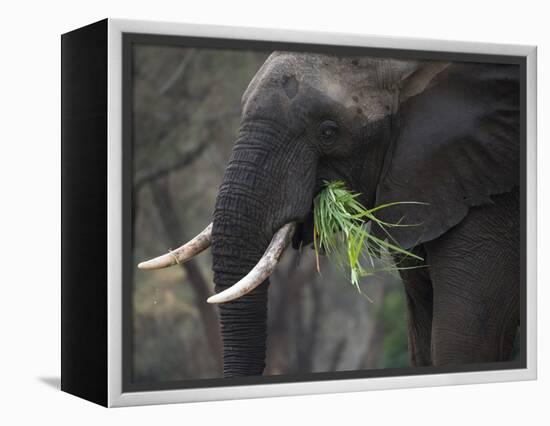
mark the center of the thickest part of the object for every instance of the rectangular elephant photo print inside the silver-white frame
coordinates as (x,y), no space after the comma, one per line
(297,213)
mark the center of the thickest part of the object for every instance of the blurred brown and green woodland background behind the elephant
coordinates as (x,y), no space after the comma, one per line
(186,111)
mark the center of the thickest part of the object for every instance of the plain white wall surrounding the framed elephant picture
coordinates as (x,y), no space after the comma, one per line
(29,225)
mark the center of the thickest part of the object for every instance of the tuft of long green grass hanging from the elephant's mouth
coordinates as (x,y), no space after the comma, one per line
(341,228)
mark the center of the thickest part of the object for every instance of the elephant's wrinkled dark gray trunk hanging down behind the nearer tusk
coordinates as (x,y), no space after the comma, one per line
(246,217)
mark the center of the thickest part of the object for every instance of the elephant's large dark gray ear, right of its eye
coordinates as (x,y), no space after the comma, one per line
(456,143)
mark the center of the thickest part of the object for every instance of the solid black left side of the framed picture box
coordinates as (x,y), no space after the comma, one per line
(84,143)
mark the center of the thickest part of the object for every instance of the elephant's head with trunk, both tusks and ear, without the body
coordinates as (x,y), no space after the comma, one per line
(393,130)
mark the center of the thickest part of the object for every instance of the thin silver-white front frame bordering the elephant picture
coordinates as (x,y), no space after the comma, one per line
(116,396)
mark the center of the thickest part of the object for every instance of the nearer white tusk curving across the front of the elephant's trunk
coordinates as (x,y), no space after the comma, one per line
(263,268)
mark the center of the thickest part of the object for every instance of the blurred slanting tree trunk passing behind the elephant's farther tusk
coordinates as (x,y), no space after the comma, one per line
(176,235)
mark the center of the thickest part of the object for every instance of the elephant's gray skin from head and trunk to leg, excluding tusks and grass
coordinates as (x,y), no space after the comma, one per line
(445,134)
